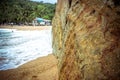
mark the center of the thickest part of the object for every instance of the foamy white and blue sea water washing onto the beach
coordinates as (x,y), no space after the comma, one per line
(19,47)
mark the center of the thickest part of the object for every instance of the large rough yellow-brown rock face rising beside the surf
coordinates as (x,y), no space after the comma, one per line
(86,39)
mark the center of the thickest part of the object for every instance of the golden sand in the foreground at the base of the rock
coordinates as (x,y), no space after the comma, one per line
(43,68)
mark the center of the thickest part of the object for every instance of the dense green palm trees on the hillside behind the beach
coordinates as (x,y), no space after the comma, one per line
(21,11)
